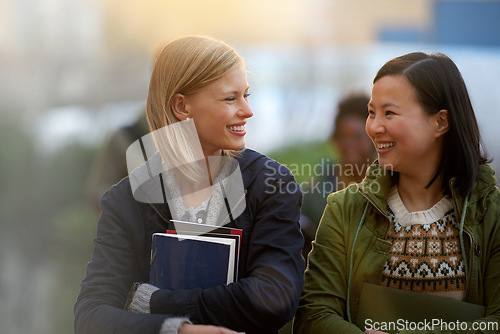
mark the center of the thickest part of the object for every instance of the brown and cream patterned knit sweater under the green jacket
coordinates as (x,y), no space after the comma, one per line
(426,254)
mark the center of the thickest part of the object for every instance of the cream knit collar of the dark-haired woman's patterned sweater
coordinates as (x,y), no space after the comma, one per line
(406,218)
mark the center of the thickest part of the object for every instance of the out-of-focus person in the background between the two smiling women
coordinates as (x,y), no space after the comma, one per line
(355,153)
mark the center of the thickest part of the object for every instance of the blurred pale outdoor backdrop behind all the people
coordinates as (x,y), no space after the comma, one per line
(73,72)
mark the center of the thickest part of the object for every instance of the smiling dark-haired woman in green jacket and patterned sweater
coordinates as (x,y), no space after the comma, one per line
(427,216)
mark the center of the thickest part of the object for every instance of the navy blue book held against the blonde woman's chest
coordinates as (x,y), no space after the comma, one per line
(181,261)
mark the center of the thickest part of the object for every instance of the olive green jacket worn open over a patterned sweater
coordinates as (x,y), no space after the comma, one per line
(350,249)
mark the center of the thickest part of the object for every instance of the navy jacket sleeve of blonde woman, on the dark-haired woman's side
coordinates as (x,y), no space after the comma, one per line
(267,297)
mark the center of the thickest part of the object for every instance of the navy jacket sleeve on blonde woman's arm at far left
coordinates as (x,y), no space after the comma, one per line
(109,278)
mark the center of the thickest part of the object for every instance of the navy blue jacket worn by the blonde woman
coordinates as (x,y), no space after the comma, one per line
(271,266)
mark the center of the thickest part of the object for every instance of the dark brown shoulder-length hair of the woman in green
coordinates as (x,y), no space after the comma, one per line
(439,85)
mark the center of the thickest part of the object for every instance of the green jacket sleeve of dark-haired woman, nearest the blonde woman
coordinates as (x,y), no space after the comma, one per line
(322,307)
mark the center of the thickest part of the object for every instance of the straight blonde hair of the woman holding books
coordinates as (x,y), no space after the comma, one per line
(184,66)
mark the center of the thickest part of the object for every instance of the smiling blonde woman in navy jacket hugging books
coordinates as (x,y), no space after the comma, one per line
(199,92)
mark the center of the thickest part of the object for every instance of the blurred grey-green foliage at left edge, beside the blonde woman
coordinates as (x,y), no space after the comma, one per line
(47,228)
